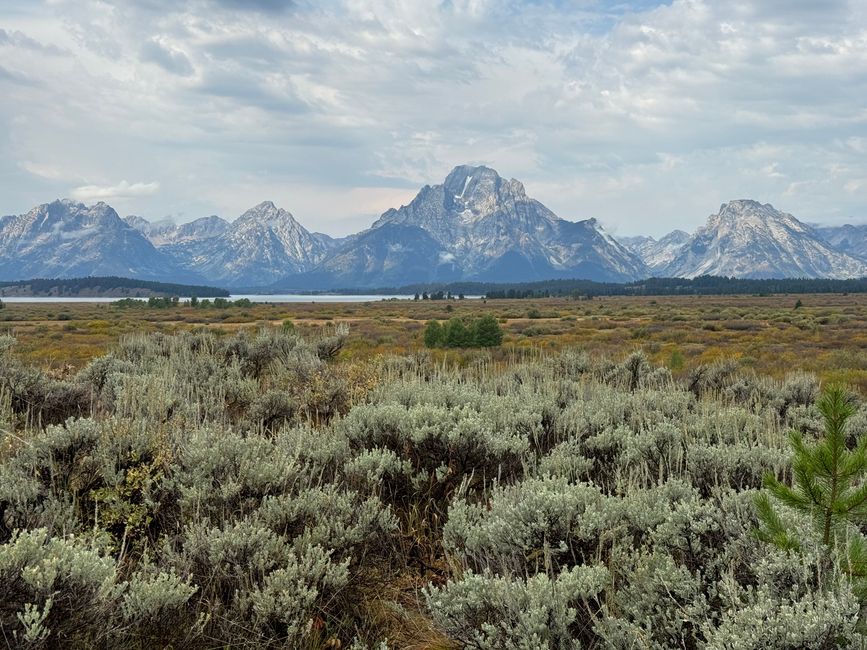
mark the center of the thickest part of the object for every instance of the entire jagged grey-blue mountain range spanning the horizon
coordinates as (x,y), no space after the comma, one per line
(475,225)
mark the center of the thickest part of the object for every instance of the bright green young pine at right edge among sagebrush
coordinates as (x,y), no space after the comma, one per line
(828,484)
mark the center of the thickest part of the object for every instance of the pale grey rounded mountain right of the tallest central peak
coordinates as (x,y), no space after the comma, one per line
(747,239)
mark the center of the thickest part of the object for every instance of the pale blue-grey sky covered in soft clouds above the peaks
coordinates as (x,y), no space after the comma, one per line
(644,114)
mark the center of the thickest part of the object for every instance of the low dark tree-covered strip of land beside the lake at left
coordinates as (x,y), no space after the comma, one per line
(109,286)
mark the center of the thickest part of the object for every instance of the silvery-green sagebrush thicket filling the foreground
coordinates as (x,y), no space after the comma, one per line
(253,492)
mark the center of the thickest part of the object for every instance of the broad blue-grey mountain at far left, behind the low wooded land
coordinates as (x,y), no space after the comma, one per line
(68,239)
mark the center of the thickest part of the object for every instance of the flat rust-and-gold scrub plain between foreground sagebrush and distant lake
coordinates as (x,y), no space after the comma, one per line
(827,335)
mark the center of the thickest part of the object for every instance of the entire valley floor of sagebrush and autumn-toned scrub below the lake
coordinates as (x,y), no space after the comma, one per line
(268,477)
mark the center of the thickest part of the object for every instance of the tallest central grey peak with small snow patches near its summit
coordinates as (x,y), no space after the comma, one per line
(490,225)
